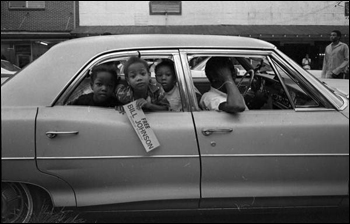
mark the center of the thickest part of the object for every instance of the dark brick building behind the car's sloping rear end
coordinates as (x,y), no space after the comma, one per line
(30,28)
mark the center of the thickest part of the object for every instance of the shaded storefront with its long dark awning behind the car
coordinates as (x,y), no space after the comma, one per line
(294,40)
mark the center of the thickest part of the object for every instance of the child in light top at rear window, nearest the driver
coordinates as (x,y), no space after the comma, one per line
(165,75)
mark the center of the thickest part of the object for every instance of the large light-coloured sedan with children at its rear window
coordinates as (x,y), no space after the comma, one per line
(289,150)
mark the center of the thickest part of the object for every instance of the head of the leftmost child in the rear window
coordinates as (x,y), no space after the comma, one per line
(103,86)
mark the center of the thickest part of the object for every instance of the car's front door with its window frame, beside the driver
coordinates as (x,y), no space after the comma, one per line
(283,154)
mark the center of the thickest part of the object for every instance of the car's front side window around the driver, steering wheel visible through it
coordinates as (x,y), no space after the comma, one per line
(270,88)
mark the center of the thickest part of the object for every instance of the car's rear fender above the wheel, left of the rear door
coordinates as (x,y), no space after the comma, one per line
(18,162)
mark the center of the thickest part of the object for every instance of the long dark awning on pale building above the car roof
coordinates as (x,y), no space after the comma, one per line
(260,31)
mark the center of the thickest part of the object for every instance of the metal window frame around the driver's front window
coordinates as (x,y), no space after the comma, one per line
(312,92)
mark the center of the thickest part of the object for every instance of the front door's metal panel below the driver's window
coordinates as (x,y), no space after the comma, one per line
(279,153)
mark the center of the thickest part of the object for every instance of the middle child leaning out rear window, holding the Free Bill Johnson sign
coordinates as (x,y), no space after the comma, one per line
(149,96)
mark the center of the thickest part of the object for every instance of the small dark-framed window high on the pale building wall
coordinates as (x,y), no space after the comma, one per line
(165,7)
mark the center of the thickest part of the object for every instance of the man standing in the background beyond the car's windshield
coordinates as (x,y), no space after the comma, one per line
(336,57)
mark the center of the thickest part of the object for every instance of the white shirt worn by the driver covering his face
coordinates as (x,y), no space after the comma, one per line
(213,98)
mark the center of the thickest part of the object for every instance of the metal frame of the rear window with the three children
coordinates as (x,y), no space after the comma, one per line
(77,79)
